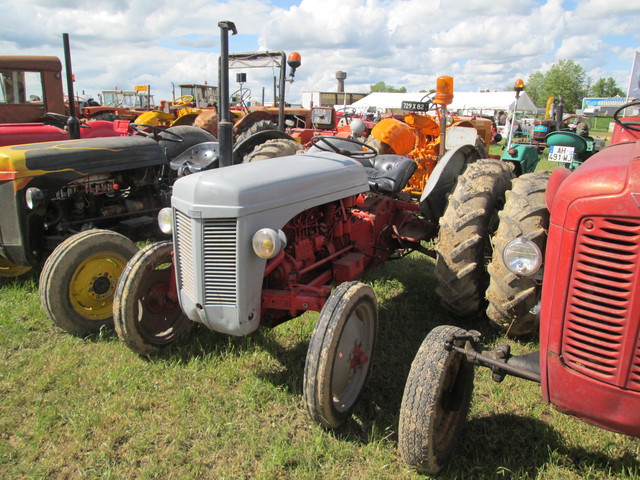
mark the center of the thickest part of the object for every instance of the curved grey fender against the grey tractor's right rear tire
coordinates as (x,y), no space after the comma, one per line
(443,178)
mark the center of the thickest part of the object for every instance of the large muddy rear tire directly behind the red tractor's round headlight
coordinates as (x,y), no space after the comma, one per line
(512,297)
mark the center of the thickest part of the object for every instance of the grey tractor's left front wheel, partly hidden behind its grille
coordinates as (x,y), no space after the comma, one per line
(146,318)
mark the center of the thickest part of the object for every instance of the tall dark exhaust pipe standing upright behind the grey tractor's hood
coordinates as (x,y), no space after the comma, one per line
(225,127)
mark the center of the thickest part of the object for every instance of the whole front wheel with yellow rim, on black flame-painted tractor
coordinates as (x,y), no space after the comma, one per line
(78,280)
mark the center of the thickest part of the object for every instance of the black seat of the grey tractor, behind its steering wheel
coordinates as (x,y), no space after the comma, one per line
(388,174)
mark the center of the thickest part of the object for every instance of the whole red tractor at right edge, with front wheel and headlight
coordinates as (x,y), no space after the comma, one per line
(588,364)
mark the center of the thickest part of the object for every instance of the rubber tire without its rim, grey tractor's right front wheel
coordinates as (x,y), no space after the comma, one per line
(320,358)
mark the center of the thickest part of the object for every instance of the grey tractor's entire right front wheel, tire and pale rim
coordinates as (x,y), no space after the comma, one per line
(340,354)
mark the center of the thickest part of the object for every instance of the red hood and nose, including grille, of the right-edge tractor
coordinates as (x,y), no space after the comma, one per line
(590,313)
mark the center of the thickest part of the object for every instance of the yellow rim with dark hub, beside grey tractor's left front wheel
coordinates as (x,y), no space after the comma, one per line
(93,284)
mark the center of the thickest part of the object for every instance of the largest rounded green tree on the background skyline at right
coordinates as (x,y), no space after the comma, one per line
(564,79)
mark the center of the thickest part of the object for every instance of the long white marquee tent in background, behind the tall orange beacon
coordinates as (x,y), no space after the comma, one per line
(465,103)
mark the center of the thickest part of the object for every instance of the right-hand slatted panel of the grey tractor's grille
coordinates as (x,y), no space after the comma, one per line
(219,262)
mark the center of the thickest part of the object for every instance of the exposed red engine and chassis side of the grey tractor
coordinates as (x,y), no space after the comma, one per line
(335,243)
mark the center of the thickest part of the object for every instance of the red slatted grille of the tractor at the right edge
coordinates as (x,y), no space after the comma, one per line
(601,329)
